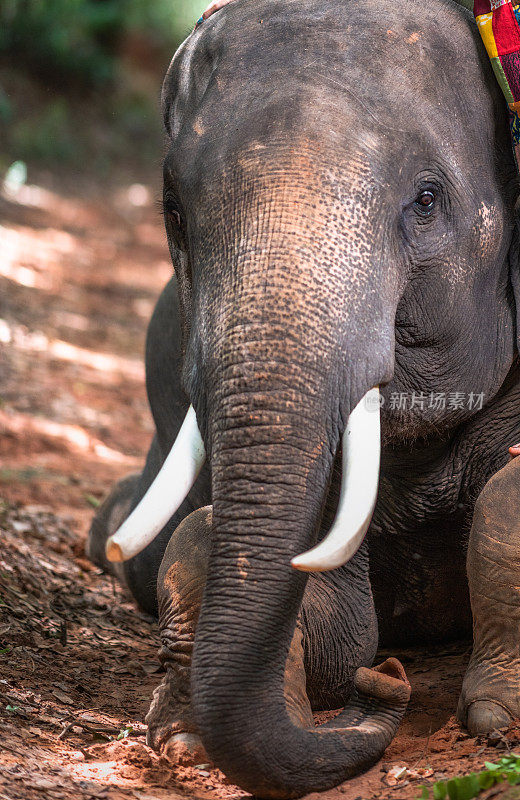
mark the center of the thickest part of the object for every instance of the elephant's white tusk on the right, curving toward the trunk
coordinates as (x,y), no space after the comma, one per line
(359,482)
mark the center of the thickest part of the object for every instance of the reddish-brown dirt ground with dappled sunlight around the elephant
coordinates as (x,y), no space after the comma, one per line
(79,274)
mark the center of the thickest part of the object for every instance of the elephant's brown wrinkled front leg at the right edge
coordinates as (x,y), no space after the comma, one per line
(490,696)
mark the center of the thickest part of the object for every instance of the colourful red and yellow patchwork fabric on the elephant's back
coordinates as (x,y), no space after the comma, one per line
(499,25)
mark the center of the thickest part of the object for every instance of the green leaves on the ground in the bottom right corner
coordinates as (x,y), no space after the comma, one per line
(469,786)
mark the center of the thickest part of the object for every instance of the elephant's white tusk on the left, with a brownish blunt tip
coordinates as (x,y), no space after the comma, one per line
(170,487)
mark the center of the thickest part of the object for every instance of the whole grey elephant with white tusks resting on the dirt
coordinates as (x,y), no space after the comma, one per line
(340,203)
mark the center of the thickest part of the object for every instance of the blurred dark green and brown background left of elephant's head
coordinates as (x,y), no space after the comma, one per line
(80,80)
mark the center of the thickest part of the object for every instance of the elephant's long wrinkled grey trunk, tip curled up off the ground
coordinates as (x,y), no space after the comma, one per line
(272,456)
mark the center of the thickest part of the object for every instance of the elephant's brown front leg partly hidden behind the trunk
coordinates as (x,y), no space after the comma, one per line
(172,730)
